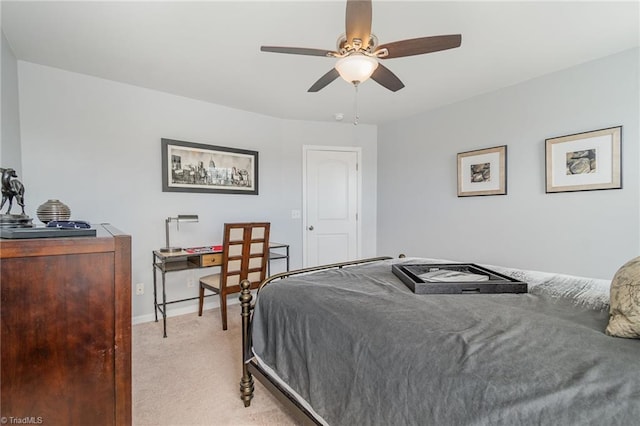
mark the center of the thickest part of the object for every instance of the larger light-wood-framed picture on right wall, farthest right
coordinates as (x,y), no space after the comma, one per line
(584,161)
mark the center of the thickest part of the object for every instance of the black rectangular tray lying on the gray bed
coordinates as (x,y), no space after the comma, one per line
(455,278)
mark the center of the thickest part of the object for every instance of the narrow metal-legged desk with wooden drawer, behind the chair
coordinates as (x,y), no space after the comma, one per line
(184,260)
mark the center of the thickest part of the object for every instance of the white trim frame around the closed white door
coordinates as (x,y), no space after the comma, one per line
(358,151)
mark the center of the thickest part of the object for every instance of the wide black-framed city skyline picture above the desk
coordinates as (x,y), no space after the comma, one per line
(194,167)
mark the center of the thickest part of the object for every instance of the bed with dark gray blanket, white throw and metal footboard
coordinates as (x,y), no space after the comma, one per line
(349,344)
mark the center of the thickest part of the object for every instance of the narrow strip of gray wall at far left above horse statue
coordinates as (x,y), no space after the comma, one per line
(10,152)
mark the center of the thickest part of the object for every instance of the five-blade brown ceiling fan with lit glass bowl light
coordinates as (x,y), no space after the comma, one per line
(358,50)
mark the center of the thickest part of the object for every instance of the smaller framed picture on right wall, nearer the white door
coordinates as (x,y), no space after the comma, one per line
(482,172)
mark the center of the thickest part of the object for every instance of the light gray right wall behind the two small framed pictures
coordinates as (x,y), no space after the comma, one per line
(581,233)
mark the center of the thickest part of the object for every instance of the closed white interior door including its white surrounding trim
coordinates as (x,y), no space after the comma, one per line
(331,205)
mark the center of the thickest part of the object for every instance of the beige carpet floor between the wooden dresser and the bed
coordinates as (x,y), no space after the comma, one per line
(192,377)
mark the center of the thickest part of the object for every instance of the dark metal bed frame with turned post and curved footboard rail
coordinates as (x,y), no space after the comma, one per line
(250,366)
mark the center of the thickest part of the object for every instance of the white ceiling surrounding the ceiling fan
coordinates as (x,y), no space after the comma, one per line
(210,50)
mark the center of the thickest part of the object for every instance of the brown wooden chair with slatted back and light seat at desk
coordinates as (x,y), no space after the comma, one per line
(245,253)
